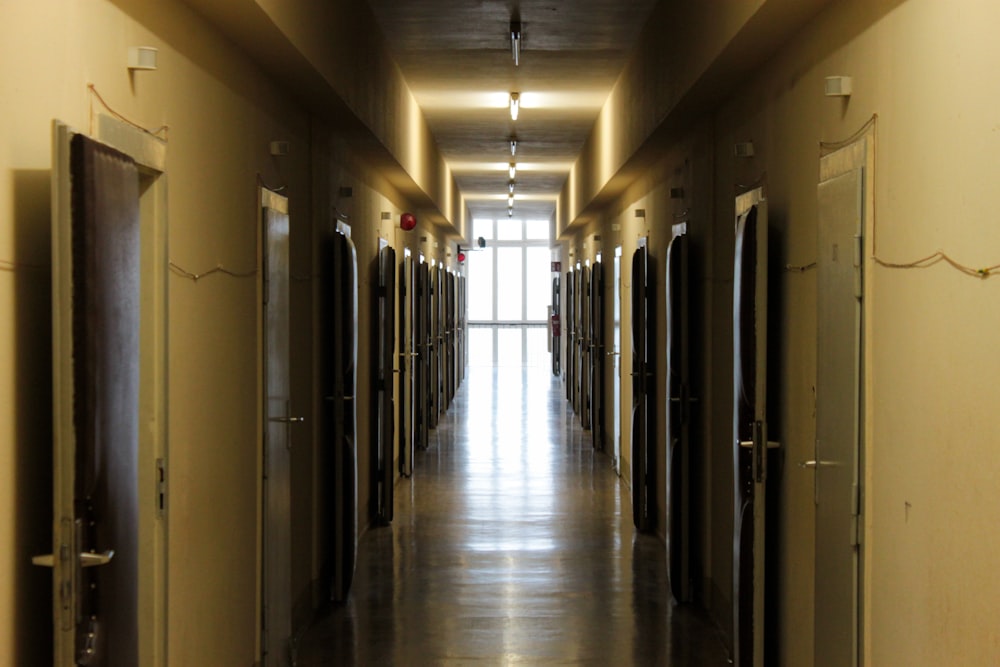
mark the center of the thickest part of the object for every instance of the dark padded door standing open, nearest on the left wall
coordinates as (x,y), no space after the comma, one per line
(96,367)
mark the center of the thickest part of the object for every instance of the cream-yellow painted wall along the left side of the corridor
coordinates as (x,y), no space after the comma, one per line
(222,111)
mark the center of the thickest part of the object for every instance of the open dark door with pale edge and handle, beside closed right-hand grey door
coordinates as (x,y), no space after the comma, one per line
(750,439)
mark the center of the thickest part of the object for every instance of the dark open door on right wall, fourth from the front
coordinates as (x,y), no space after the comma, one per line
(643,416)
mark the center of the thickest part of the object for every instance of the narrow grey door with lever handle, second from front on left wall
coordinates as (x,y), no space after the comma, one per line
(277,538)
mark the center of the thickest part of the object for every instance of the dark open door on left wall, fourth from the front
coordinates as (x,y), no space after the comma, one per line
(384,383)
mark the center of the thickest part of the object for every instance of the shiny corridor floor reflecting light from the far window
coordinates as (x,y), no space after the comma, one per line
(511,544)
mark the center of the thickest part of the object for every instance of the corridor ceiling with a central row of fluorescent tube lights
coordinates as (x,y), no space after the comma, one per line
(456,57)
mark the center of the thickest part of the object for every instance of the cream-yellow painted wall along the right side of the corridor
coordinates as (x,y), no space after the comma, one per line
(930,464)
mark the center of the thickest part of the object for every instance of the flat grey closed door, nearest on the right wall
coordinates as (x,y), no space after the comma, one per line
(838,410)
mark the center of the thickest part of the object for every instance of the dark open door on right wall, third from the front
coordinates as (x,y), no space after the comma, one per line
(678,410)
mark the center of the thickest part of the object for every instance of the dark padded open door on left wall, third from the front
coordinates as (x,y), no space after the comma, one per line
(340,338)
